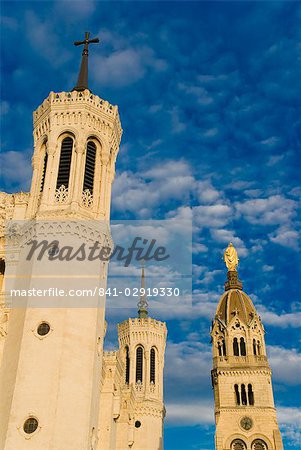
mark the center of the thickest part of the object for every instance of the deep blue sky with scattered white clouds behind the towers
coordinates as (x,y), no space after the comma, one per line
(209,98)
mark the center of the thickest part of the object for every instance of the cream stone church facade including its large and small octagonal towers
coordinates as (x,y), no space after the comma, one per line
(76,392)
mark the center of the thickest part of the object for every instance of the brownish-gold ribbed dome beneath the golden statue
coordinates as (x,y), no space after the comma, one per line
(235,302)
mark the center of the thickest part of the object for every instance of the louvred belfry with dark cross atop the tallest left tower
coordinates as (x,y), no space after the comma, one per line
(76,142)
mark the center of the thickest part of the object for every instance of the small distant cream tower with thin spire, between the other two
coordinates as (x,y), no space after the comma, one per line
(132,408)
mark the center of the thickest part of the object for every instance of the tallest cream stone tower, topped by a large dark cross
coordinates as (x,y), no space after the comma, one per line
(52,356)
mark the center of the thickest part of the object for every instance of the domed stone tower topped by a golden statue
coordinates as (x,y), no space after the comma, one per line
(245,413)
